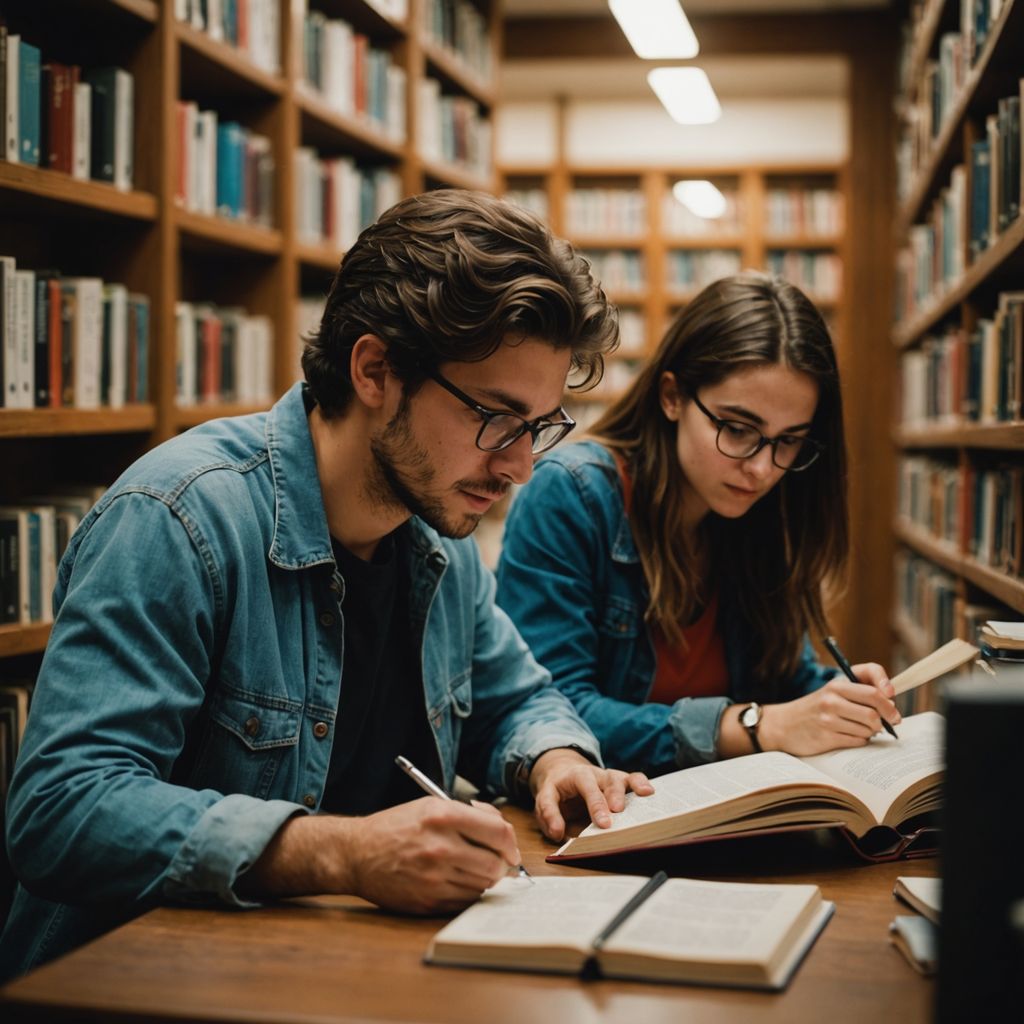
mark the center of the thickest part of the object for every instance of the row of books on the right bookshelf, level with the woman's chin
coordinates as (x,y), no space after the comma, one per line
(977,510)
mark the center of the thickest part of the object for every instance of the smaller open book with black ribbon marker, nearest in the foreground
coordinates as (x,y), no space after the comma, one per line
(625,926)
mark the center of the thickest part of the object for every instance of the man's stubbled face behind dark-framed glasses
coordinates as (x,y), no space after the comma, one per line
(426,458)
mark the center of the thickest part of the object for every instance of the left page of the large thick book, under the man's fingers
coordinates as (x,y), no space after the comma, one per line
(711,785)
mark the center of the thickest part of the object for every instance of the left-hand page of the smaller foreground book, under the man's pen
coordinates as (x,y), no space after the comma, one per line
(556,911)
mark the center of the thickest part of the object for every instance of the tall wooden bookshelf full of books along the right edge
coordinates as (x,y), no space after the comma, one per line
(958,334)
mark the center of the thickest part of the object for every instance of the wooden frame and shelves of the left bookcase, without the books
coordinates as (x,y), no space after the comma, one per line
(144,239)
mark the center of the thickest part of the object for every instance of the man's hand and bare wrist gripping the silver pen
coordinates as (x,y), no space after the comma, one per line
(428,857)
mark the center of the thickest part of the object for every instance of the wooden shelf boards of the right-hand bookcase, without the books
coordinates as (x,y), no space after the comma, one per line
(959,448)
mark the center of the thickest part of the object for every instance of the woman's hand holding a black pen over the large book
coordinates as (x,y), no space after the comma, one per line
(840,714)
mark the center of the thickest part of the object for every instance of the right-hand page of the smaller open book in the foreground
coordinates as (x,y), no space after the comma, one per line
(724,922)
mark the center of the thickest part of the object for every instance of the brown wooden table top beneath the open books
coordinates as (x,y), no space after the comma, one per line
(338,959)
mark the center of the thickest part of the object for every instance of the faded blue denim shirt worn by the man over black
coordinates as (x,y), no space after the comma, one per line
(198,643)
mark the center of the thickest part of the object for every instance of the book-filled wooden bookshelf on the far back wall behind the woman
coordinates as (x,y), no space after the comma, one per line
(653,257)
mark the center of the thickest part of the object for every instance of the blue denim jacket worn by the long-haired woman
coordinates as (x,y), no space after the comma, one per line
(571,578)
